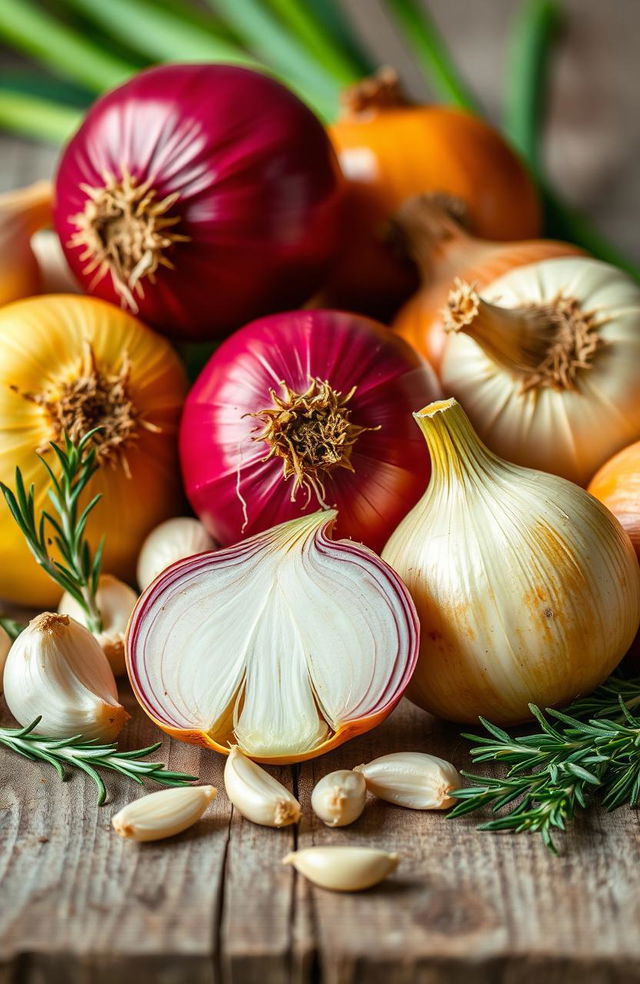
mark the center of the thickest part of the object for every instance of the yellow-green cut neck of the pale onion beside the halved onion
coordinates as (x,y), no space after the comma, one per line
(456,451)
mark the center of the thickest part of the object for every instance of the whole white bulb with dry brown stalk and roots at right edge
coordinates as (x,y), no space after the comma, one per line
(547,363)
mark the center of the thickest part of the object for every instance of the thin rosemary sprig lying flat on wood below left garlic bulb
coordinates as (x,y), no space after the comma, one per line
(88,756)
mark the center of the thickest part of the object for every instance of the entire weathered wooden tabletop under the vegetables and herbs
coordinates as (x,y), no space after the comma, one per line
(80,904)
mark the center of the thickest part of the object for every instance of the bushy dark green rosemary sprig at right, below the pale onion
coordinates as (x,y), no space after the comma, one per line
(591,750)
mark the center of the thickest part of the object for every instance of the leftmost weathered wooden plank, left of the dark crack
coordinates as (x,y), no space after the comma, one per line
(78,896)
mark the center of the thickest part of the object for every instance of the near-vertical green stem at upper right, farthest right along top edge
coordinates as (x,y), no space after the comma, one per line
(528,58)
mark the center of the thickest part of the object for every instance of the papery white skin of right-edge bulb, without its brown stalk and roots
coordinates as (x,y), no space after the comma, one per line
(569,431)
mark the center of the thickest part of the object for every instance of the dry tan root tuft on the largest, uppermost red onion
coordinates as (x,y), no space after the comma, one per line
(127,231)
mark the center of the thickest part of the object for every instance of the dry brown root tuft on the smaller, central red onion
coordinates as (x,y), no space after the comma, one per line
(311,432)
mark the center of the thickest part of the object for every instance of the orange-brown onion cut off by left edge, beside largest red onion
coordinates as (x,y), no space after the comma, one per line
(22,212)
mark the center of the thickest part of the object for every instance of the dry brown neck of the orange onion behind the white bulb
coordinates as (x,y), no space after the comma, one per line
(429,229)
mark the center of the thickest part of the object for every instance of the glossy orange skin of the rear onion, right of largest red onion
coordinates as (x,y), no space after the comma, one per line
(451,151)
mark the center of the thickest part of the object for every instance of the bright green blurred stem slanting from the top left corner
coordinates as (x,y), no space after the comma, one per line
(33,31)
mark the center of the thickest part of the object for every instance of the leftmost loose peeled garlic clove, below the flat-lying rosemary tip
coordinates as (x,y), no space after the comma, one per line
(163,814)
